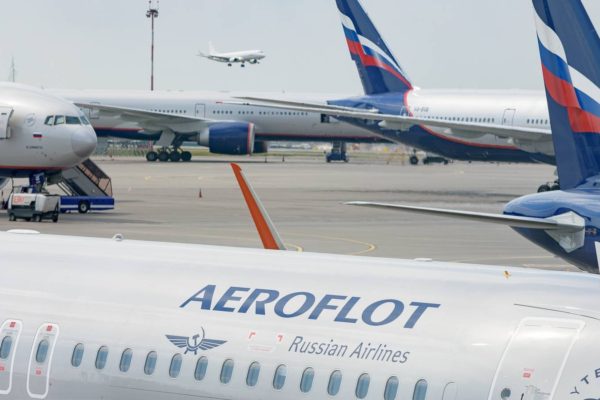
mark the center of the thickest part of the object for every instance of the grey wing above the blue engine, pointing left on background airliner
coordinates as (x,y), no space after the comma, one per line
(151,120)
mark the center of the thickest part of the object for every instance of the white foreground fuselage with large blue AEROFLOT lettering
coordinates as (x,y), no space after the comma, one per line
(470,332)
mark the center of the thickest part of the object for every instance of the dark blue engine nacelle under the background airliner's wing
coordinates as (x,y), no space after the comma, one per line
(233,138)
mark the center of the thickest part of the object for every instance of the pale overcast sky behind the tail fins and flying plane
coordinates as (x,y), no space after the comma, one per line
(105,44)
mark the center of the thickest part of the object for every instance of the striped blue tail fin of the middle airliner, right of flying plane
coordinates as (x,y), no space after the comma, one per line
(377,67)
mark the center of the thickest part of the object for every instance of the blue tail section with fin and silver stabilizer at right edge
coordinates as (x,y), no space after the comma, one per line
(564,222)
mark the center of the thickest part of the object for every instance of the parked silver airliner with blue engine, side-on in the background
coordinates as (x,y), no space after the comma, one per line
(172,117)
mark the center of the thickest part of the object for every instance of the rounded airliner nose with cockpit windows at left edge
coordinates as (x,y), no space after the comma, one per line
(40,133)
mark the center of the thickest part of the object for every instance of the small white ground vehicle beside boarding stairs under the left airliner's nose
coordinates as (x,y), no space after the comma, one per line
(25,203)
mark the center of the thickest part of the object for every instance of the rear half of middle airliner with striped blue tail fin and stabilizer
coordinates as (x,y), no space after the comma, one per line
(510,125)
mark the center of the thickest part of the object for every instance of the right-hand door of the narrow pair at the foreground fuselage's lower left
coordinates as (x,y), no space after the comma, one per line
(40,361)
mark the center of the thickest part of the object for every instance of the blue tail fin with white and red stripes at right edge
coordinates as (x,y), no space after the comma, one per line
(570,54)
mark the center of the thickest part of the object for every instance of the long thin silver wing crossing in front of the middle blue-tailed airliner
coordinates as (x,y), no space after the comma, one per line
(403,122)
